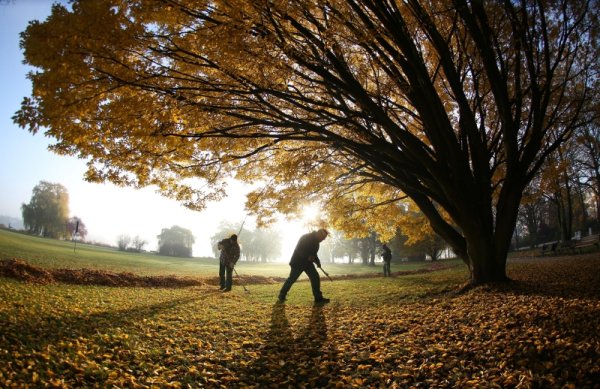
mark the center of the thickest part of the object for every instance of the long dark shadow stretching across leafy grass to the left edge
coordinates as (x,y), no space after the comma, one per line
(36,333)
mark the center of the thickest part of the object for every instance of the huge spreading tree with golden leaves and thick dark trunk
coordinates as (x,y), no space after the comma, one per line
(358,103)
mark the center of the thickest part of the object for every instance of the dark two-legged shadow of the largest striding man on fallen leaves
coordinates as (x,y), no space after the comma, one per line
(289,357)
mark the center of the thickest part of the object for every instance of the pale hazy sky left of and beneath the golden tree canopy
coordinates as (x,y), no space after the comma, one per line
(106,210)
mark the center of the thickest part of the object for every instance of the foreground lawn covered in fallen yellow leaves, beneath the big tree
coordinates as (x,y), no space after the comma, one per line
(403,331)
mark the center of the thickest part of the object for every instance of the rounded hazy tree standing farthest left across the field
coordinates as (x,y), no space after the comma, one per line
(47,213)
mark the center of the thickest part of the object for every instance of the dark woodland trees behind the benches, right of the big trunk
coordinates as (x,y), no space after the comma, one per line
(563,202)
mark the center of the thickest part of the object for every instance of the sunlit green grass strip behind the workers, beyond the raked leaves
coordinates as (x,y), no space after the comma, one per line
(51,253)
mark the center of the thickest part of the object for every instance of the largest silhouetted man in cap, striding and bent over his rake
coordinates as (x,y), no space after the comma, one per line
(304,260)
